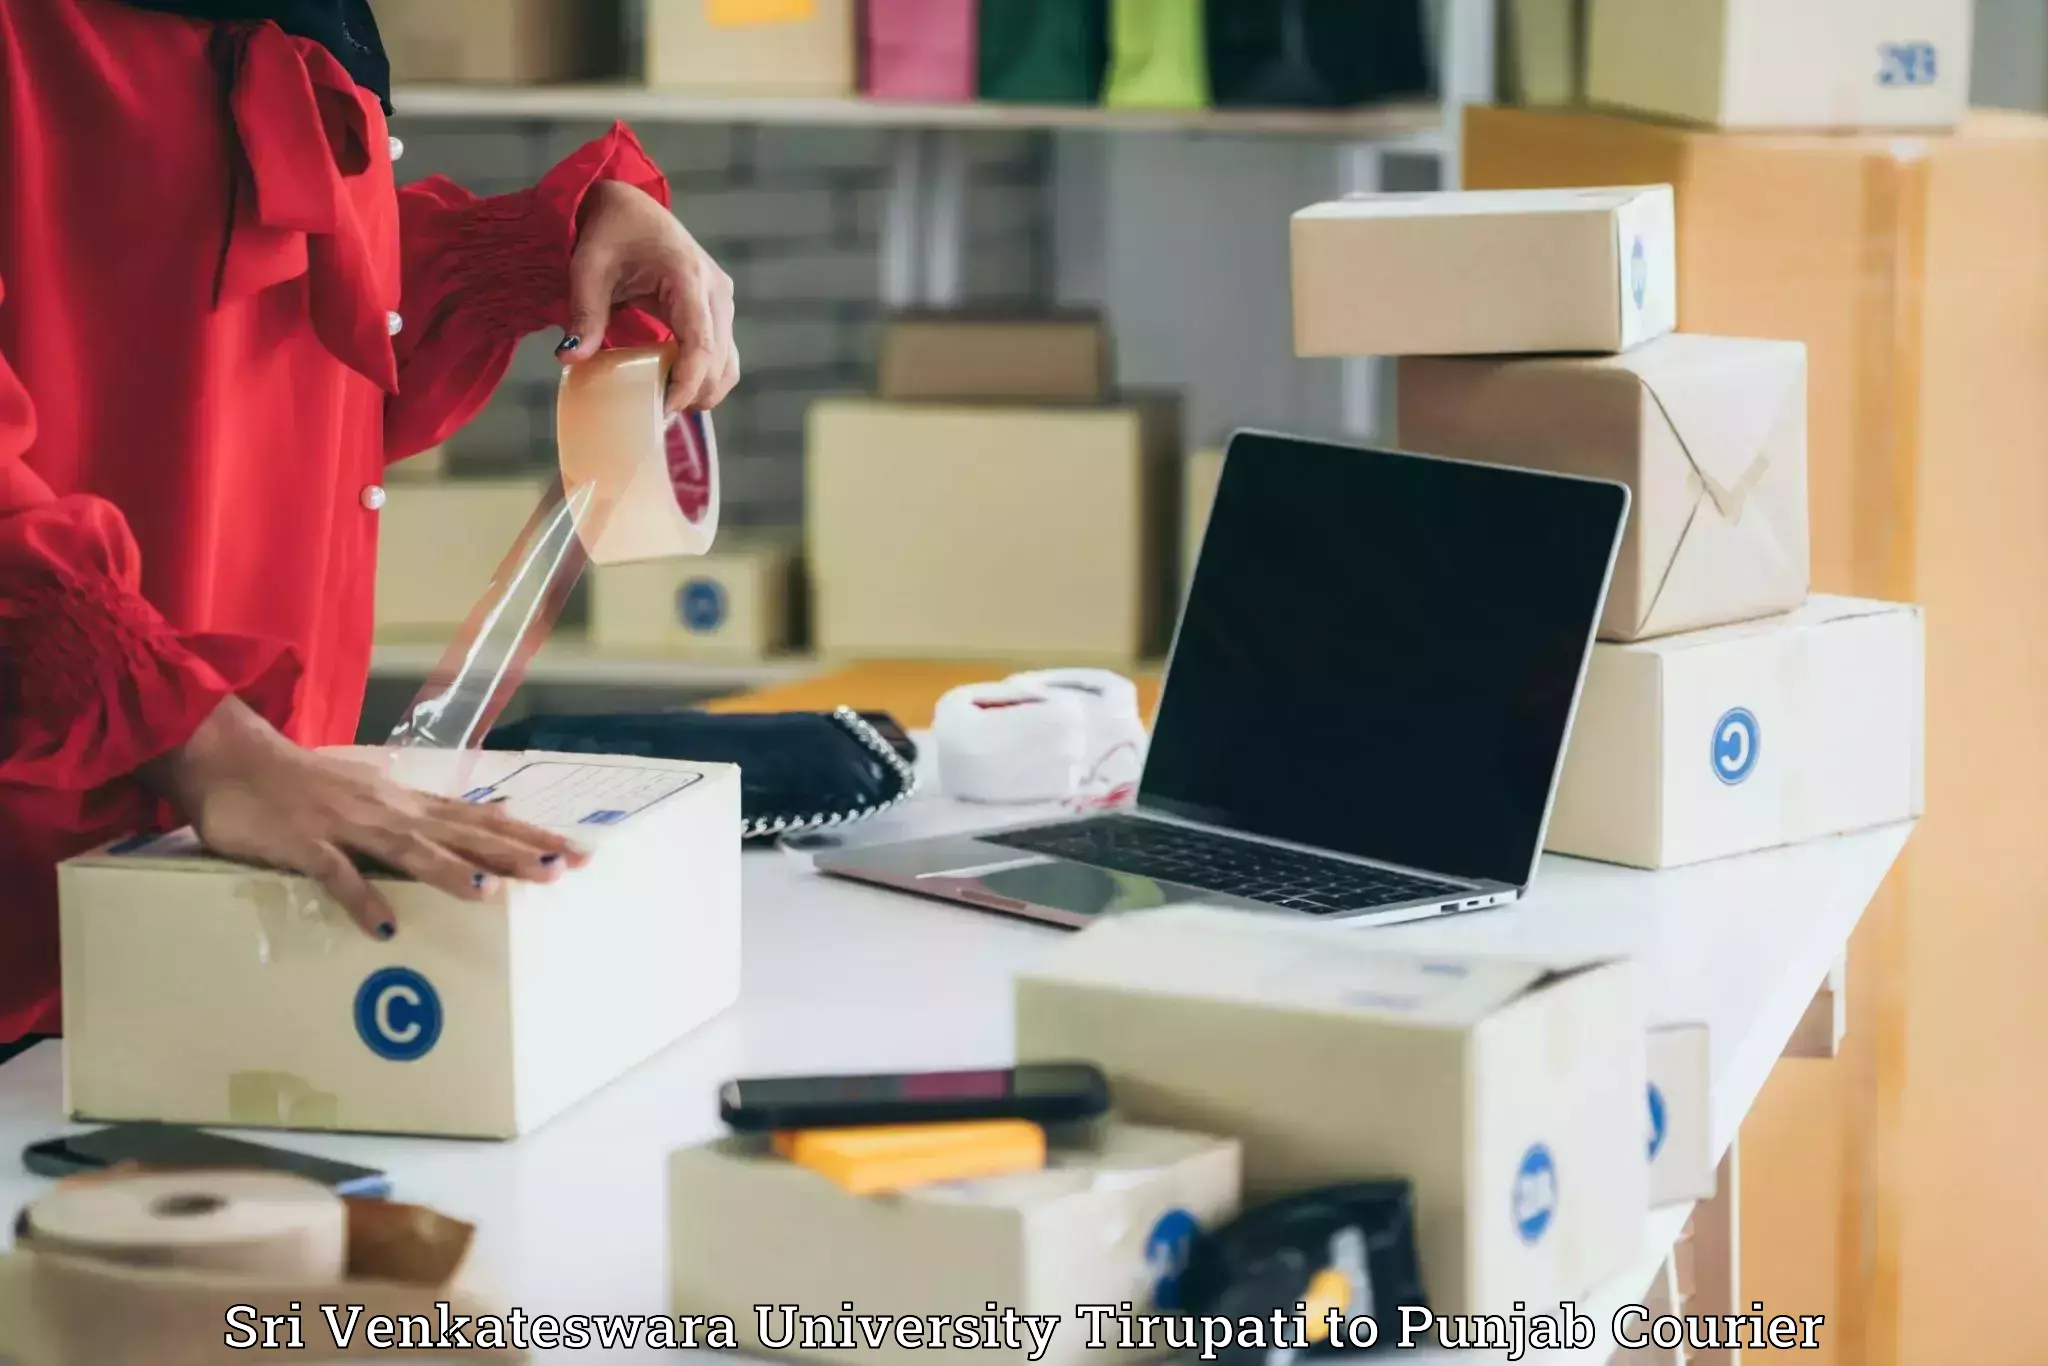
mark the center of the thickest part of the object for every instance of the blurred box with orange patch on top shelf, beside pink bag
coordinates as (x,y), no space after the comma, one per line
(767,48)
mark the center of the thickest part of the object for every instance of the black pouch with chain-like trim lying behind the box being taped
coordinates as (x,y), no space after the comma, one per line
(798,769)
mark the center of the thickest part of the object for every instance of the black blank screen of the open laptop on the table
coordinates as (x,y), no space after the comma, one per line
(1381,654)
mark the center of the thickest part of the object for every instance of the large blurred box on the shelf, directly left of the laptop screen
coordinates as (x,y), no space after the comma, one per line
(992,533)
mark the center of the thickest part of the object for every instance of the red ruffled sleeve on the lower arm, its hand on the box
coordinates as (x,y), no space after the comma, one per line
(93,681)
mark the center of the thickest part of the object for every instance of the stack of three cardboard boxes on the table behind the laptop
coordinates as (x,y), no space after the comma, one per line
(1723,710)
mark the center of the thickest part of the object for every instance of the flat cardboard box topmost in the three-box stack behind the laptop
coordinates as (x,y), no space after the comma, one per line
(1486,273)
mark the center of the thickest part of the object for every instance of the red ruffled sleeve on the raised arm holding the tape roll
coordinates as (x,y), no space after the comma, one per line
(482,273)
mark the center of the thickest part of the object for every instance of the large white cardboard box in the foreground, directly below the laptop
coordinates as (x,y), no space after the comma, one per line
(1508,1093)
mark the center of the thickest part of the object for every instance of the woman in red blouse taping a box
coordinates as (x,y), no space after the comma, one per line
(220,321)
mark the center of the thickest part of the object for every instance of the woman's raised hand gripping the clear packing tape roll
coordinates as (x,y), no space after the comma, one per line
(630,251)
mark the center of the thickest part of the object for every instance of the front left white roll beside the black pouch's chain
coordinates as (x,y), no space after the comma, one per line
(1011,744)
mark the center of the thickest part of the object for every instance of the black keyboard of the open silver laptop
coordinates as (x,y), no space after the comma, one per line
(1222,863)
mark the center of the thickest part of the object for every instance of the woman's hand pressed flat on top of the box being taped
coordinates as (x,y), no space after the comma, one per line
(255,796)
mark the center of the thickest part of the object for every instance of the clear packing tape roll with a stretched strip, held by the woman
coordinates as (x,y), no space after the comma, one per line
(636,484)
